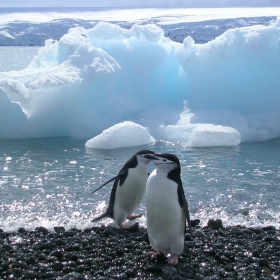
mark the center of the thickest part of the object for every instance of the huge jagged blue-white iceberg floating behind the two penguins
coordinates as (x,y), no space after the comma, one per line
(218,93)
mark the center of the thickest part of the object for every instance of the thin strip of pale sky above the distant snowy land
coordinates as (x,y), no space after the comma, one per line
(140,3)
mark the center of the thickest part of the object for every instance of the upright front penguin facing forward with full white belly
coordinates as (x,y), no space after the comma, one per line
(166,208)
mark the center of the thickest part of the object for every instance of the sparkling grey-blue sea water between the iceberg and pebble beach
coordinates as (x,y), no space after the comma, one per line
(47,182)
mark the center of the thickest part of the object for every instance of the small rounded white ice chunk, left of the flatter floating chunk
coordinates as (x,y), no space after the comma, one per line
(125,134)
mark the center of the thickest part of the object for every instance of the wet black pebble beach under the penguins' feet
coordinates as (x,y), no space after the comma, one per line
(212,252)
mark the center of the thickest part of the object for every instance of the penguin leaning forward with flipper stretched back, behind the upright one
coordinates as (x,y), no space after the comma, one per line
(128,189)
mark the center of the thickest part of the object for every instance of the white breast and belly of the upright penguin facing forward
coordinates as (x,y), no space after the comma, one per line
(165,217)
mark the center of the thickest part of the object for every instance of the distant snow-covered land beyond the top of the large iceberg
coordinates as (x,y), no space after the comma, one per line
(35,26)
